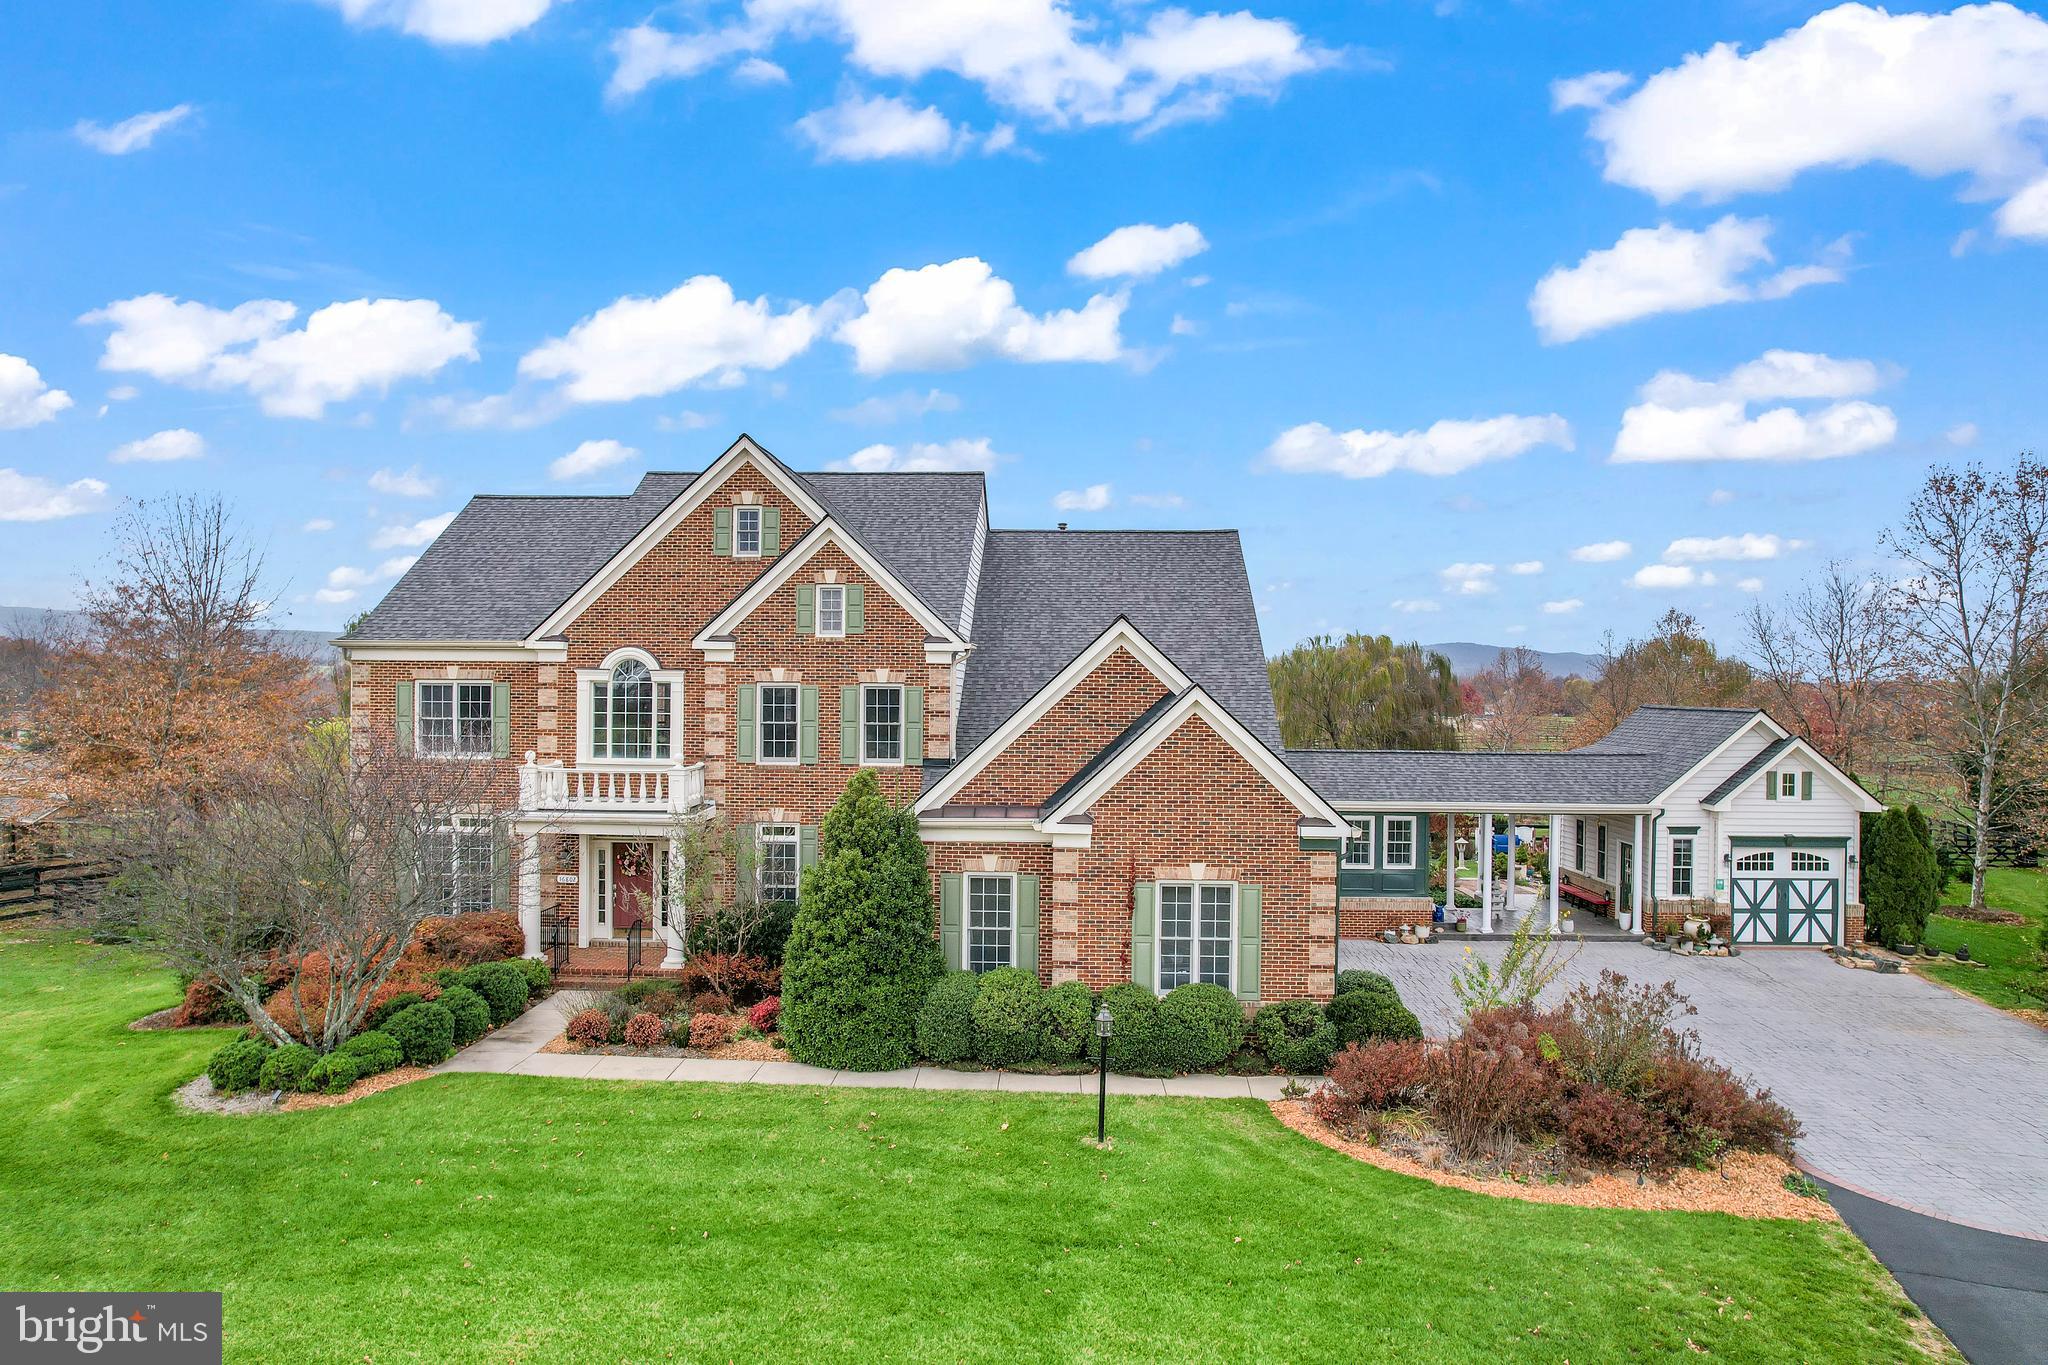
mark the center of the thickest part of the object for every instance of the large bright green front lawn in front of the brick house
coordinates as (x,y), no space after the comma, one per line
(503,1219)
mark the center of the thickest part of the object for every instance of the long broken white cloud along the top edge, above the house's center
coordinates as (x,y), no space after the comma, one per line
(1029,56)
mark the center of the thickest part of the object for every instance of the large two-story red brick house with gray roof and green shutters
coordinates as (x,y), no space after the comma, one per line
(1082,721)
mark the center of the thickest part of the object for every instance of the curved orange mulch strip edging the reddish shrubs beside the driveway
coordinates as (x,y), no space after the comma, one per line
(1754,1186)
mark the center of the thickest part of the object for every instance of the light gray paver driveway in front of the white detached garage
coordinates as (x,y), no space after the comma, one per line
(1908,1090)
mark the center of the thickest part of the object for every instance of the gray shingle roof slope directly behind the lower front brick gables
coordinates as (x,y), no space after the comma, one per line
(1048,595)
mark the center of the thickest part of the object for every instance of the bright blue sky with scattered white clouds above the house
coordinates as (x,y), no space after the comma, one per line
(1482,320)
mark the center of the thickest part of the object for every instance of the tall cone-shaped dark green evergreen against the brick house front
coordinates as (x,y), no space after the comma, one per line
(861,955)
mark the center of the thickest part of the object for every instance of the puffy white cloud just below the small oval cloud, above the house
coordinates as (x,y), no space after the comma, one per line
(947,316)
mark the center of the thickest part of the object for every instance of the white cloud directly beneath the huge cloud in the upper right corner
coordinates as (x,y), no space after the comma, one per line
(1668,271)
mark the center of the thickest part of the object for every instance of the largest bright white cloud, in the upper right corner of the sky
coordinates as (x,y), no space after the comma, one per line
(1940,95)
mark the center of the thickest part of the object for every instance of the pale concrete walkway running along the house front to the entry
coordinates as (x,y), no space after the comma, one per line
(517,1051)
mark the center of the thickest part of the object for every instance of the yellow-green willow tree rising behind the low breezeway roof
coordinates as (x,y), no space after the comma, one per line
(1365,693)
